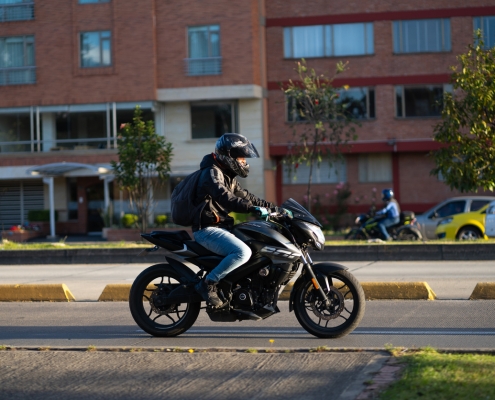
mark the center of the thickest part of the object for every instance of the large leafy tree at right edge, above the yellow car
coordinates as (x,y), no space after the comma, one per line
(466,160)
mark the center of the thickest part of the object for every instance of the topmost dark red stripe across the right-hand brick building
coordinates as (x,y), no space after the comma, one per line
(380,16)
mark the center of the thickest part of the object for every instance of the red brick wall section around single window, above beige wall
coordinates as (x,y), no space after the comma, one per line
(239,41)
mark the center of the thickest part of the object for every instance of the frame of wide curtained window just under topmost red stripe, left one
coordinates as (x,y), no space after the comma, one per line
(369,42)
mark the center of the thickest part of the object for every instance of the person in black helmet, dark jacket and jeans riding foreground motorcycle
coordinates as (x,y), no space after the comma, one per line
(212,224)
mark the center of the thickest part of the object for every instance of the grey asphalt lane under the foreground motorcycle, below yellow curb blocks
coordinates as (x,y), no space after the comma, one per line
(446,324)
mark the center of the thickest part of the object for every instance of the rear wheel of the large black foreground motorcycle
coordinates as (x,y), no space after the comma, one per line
(162,321)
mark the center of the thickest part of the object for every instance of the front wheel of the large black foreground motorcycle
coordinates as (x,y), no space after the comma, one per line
(315,318)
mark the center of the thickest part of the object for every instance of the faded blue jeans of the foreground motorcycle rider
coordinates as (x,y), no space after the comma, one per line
(223,243)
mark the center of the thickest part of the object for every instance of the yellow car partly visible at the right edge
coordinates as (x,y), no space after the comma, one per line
(466,226)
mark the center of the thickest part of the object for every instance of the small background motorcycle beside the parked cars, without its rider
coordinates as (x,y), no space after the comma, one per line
(406,229)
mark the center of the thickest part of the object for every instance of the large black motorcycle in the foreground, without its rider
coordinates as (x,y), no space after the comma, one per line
(327,300)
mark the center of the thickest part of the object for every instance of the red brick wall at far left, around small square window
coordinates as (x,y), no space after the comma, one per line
(60,80)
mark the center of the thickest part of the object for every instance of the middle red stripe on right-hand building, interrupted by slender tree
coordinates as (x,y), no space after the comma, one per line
(379,80)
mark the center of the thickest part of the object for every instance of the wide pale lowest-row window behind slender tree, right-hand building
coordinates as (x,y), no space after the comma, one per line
(326,172)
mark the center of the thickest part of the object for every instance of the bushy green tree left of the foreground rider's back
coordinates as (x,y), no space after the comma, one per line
(144,164)
